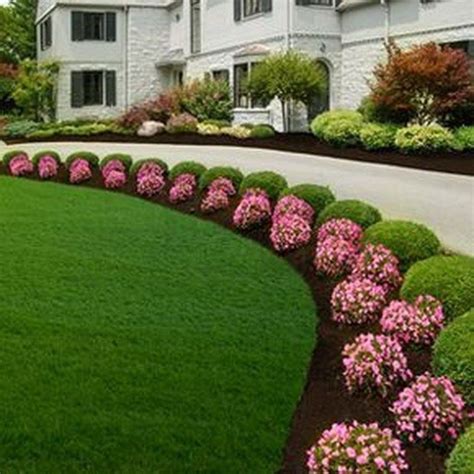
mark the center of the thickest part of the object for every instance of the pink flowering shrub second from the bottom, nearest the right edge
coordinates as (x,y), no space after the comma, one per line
(429,409)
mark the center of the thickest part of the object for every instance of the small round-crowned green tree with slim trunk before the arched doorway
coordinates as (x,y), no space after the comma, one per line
(290,77)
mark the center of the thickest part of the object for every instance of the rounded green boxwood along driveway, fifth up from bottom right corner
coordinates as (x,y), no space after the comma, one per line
(358,211)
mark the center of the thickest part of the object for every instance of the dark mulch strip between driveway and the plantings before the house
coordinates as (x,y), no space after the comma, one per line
(452,162)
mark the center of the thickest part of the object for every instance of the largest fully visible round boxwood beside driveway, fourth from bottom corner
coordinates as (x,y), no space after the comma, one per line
(409,241)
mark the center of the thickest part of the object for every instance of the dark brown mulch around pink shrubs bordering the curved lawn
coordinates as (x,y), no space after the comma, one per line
(325,399)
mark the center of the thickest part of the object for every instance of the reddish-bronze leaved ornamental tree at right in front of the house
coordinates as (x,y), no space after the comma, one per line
(428,82)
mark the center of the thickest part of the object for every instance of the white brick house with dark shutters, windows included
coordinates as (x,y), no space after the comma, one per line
(114,53)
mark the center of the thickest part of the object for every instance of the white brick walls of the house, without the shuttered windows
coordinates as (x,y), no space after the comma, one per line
(153,44)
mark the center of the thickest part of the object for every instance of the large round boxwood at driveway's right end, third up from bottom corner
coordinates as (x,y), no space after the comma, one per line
(448,278)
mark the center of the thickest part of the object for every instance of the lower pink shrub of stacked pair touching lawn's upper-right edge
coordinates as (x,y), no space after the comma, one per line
(289,232)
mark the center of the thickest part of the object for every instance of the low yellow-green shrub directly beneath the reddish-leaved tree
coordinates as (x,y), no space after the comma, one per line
(424,138)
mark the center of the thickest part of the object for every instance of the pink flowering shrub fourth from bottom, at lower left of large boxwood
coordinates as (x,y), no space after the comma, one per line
(417,323)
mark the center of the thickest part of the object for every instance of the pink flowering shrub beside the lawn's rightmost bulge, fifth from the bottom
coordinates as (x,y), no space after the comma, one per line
(357,301)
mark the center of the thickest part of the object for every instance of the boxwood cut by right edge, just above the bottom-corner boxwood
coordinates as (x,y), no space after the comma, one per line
(453,354)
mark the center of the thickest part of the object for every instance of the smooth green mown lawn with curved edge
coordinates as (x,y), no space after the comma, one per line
(136,339)
